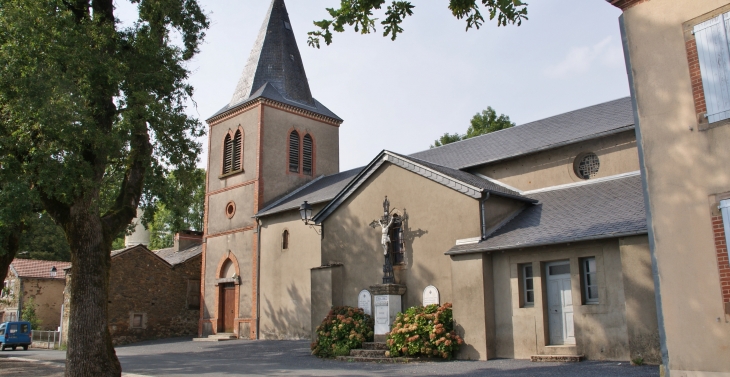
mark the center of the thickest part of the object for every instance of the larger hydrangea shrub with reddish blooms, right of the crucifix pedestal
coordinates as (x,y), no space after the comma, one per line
(424,331)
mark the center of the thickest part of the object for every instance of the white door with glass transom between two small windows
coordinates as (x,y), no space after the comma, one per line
(560,303)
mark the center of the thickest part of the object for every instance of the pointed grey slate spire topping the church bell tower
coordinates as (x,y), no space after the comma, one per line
(275,59)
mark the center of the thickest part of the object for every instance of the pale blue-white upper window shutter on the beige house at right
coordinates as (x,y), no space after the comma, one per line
(714,56)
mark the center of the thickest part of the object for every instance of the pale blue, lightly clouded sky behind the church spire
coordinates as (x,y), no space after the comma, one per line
(403,95)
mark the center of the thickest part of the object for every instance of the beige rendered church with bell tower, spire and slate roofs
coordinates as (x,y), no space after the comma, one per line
(537,234)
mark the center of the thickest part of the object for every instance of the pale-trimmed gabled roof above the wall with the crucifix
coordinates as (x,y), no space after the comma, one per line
(466,183)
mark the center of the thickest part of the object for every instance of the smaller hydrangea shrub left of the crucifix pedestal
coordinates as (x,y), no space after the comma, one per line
(343,329)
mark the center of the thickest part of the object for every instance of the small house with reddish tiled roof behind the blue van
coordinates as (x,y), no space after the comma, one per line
(39,280)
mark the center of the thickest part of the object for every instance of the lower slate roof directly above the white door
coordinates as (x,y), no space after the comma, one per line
(604,208)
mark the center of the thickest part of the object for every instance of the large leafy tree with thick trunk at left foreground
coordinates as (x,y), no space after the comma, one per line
(94,114)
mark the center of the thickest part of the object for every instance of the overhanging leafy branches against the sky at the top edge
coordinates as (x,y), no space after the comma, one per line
(359,15)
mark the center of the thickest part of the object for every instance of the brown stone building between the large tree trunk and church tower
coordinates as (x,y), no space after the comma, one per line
(154,294)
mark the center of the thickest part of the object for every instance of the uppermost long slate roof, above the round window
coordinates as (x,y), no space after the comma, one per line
(582,124)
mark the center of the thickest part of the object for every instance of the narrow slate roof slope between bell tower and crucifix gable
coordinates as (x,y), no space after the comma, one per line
(320,190)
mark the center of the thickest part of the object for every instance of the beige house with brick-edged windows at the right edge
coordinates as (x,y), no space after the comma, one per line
(678,63)
